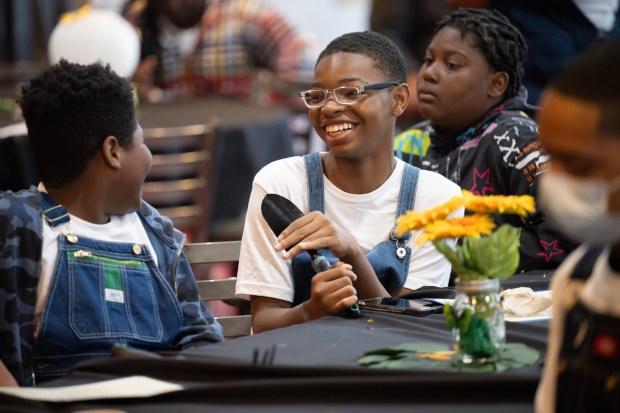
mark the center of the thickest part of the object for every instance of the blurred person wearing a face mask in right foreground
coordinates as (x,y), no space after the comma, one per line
(580,127)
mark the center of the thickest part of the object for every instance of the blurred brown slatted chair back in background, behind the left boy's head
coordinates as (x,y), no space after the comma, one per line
(178,182)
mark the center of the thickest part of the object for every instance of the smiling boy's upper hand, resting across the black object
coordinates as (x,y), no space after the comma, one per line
(314,231)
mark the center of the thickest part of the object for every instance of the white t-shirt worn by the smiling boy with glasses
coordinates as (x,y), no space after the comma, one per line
(368,218)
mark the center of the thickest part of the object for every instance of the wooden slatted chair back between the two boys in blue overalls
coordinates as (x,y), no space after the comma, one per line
(223,289)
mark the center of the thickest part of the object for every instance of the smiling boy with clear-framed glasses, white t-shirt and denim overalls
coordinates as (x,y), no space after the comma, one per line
(351,195)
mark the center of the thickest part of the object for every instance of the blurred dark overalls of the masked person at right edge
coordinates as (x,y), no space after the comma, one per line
(588,352)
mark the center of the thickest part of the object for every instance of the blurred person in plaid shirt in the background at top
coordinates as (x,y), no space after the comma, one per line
(195,47)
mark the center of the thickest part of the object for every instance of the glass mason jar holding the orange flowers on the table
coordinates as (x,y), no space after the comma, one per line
(478,325)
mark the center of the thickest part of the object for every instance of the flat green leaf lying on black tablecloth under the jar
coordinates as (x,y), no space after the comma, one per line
(434,356)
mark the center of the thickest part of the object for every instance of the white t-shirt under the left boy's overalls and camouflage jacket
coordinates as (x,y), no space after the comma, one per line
(122,228)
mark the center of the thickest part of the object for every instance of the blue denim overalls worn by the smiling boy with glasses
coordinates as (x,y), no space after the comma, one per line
(390,259)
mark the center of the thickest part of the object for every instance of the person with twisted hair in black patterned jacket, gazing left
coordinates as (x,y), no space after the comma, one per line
(479,132)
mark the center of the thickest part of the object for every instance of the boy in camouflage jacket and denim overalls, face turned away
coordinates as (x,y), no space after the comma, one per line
(84,263)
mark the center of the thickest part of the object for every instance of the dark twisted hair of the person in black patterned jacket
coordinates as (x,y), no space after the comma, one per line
(499,41)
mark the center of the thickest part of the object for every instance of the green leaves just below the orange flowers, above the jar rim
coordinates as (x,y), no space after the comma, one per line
(493,256)
